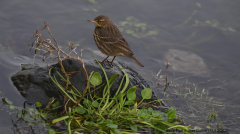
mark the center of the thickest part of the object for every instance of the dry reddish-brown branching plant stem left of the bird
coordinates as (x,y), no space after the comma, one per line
(47,49)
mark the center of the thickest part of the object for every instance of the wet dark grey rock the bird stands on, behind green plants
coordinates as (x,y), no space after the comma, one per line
(35,84)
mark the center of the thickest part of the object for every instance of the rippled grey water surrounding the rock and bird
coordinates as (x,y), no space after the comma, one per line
(201,40)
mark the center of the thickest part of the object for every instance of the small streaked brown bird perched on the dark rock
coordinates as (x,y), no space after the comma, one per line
(110,40)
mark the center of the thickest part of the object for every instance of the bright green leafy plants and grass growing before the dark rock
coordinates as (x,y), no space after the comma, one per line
(120,114)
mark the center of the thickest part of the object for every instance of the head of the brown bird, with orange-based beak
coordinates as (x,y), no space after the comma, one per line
(101,21)
